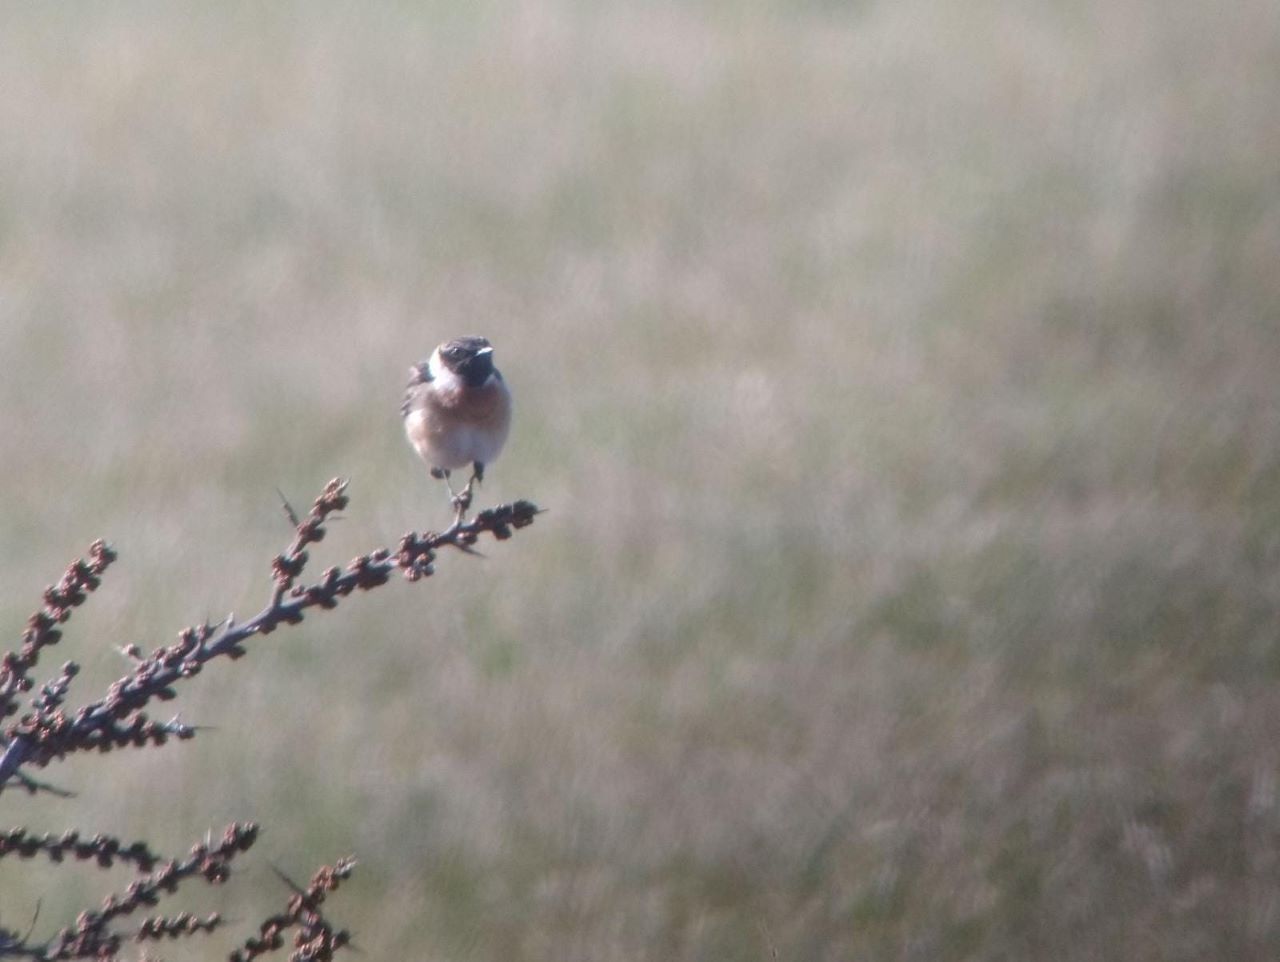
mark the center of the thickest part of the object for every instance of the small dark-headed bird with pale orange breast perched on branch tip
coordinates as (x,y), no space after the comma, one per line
(458,413)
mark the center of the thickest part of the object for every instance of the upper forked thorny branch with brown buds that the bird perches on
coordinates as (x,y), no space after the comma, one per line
(49,734)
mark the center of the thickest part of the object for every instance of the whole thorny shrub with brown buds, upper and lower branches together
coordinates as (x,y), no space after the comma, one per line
(48,734)
